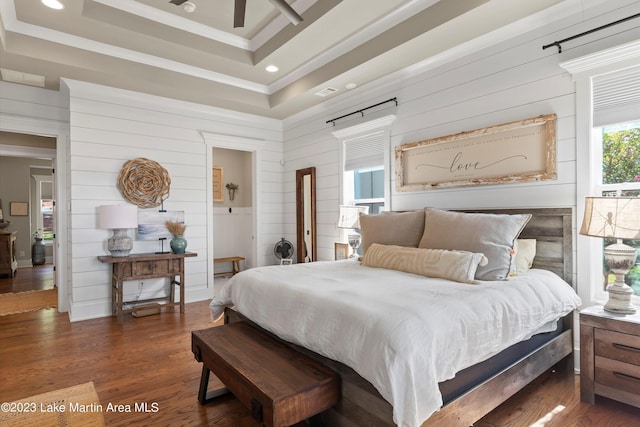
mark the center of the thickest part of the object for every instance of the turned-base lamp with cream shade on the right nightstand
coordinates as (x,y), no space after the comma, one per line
(615,218)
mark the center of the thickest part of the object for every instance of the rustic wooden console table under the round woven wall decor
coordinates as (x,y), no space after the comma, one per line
(146,266)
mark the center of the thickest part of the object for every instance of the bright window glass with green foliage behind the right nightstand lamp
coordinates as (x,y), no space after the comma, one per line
(618,155)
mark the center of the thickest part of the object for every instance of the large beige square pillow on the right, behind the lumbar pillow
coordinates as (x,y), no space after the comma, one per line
(493,235)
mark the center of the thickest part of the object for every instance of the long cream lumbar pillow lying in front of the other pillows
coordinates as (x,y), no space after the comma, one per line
(452,265)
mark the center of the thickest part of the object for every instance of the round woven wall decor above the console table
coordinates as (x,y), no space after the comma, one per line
(144,182)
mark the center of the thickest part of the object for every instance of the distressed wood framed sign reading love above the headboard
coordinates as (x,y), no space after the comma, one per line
(520,151)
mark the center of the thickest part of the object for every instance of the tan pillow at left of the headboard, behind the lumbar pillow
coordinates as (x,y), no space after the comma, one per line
(392,228)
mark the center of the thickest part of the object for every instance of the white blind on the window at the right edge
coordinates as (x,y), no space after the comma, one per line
(616,97)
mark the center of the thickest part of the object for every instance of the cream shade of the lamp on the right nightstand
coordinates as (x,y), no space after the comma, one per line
(612,217)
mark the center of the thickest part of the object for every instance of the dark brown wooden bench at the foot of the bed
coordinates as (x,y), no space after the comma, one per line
(279,385)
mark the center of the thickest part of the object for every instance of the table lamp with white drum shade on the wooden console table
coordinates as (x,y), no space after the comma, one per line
(119,218)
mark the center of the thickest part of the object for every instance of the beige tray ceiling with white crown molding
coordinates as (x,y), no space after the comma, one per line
(156,47)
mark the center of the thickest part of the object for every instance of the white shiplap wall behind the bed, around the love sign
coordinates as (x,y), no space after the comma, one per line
(512,80)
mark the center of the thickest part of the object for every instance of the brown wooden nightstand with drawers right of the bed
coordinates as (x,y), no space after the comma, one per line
(609,356)
